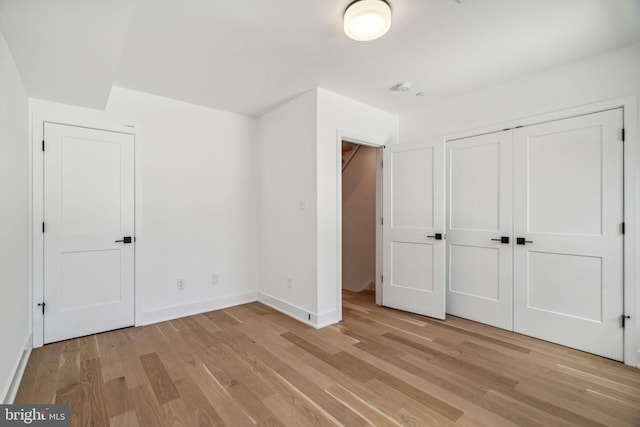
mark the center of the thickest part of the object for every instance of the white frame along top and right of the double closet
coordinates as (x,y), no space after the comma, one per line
(631,276)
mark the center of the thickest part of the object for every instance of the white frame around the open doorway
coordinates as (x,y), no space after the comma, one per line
(379,146)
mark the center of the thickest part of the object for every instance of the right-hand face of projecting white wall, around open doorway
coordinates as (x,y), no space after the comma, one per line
(339,117)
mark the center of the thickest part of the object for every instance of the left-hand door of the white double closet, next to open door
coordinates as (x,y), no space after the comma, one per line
(479,201)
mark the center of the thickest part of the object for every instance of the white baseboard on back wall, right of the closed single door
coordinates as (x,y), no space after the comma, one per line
(175,312)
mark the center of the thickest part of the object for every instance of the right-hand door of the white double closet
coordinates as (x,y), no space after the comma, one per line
(568,206)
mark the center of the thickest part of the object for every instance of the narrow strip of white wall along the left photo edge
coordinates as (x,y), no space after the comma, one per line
(14,219)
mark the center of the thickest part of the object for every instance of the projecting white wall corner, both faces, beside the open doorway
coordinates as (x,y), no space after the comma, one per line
(300,144)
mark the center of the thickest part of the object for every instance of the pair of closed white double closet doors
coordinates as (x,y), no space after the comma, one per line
(534,238)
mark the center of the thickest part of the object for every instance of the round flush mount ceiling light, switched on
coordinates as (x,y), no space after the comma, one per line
(366,20)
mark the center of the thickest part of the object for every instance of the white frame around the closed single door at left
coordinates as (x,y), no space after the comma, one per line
(38,121)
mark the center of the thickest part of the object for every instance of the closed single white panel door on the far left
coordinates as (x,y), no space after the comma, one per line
(88,207)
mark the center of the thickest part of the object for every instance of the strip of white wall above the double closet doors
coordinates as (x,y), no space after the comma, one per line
(610,75)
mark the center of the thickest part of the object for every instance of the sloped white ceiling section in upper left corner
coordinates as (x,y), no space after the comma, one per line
(67,50)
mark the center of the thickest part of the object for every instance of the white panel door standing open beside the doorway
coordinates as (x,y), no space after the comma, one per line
(414,257)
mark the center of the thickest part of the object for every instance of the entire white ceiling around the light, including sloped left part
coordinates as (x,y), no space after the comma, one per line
(248,56)
